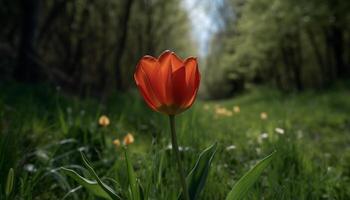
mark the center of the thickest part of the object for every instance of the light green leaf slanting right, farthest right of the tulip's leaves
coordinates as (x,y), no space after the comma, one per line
(240,189)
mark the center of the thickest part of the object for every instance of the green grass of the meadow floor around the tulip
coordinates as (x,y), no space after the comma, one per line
(42,129)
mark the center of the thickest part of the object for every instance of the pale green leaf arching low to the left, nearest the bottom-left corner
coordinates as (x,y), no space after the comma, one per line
(91,186)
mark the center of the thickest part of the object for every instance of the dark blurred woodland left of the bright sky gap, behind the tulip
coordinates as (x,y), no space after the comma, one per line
(89,47)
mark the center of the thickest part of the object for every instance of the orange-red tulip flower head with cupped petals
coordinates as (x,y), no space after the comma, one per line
(168,84)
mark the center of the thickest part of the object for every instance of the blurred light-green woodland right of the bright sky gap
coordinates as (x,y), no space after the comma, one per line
(291,43)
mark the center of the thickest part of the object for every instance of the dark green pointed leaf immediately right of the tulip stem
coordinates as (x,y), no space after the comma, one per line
(197,177)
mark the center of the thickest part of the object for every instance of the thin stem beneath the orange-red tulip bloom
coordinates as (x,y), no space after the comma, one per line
(175,148)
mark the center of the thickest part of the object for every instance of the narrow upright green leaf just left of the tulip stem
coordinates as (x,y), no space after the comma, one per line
(134,187)
